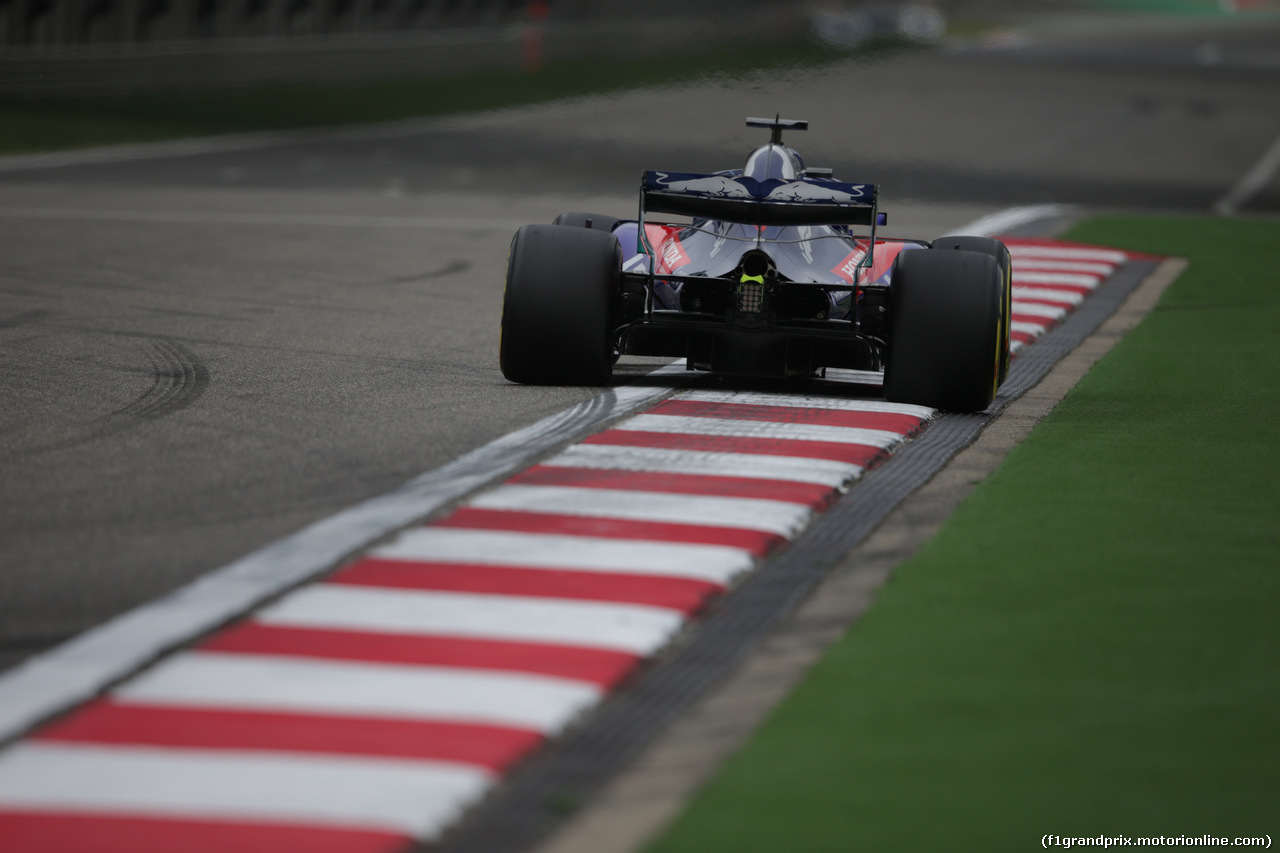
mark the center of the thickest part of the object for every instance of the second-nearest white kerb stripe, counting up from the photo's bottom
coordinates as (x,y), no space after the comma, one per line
(360,690)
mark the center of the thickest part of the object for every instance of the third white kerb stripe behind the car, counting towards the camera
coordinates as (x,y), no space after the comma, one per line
(662,460)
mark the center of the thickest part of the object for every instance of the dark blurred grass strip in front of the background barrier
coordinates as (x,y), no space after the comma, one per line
(49,125)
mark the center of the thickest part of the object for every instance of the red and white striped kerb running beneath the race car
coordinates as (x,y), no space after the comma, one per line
(376,708)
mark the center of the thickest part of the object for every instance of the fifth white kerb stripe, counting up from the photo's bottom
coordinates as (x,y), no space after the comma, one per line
(783,518)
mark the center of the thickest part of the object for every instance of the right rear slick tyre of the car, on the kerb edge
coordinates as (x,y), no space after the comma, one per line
(945,330)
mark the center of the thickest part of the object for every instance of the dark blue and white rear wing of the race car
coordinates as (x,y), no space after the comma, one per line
(799,202)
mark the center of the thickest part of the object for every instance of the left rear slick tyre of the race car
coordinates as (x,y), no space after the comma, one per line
(560,307)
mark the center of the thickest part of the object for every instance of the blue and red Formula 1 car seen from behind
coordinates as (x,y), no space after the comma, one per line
(769,279)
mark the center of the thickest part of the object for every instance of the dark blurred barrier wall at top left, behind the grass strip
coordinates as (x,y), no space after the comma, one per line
(135,47)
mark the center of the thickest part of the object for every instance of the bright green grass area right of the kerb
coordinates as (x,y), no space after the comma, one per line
(1092,644)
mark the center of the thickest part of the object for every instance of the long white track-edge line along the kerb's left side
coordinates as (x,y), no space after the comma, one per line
(83,667)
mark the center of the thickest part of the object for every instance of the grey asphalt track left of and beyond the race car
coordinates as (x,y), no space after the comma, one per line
(207,353)
